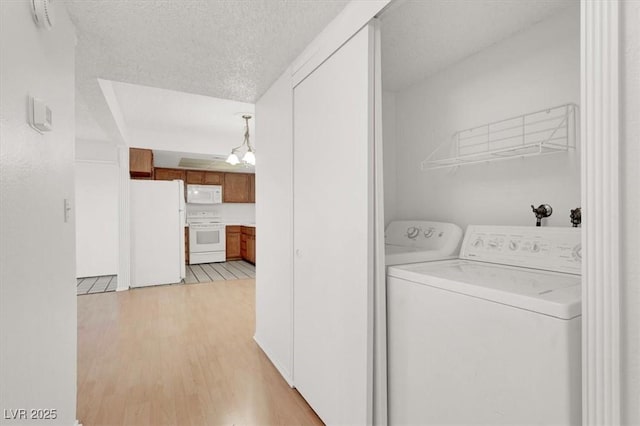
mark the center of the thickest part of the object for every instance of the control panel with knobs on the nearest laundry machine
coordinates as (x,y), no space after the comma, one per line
(549,248)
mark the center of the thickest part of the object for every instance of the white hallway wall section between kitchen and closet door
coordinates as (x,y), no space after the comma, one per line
(274,219)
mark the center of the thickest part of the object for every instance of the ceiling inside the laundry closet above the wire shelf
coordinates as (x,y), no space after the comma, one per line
(420,38)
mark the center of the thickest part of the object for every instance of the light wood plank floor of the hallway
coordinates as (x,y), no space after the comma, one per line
(179,355)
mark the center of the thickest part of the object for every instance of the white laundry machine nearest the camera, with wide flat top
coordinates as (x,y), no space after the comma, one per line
(492,337)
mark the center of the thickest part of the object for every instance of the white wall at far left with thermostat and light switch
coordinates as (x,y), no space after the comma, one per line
(37,249)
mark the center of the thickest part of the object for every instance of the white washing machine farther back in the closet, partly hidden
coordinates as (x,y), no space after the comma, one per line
(412,241)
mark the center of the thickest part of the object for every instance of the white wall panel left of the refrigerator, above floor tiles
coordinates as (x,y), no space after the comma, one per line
(96,219)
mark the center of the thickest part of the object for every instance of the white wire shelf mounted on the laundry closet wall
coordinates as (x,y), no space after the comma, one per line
(542,132)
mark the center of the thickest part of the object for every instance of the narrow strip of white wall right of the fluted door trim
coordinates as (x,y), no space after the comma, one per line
(630,196)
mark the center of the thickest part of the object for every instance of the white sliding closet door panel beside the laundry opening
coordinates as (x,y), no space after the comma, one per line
(333,234)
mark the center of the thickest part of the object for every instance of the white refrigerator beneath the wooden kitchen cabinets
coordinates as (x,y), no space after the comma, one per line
(157,232)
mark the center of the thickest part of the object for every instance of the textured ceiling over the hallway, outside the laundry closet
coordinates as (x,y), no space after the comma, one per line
(229,49)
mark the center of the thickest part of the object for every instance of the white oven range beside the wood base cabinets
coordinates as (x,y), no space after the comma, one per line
(207,239)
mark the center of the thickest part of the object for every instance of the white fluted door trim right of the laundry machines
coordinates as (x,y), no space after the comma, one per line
(599,125)
